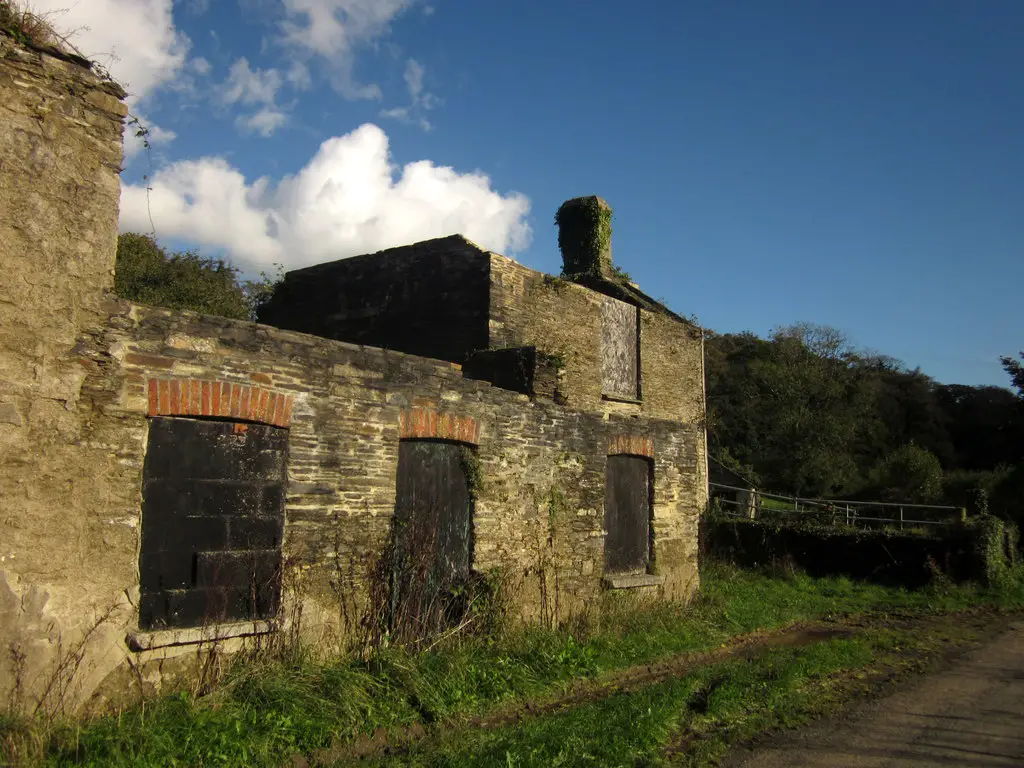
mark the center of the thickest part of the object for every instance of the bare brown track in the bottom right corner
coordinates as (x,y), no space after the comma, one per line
(971,714)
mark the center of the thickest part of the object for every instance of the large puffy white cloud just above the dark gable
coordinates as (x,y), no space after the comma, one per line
(349,200)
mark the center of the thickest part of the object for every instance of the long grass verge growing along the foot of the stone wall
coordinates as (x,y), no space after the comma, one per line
(264,713)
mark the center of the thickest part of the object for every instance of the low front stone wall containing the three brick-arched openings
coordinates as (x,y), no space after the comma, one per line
(539,511)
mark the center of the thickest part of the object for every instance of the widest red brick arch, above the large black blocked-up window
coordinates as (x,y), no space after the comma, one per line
(220,400)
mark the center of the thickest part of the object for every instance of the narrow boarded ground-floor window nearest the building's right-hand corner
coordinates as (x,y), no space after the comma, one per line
(628,496)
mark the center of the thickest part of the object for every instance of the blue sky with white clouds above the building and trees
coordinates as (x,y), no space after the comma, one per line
(856,164)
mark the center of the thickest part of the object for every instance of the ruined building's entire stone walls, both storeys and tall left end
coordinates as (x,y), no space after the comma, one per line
(83,374)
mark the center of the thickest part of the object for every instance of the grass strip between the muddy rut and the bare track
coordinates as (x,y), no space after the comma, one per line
(694,720)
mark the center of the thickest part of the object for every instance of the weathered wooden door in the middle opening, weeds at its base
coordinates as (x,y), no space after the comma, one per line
(433,531)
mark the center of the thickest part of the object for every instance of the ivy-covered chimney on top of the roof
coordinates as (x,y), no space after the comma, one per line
(585,237)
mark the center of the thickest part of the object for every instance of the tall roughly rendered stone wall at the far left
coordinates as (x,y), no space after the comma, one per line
(61,148)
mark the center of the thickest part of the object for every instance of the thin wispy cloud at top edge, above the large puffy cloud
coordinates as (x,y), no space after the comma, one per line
(334,30)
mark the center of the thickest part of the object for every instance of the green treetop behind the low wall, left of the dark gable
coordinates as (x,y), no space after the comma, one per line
(147,274)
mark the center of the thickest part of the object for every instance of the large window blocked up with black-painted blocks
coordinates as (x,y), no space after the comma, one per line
(214,500)
